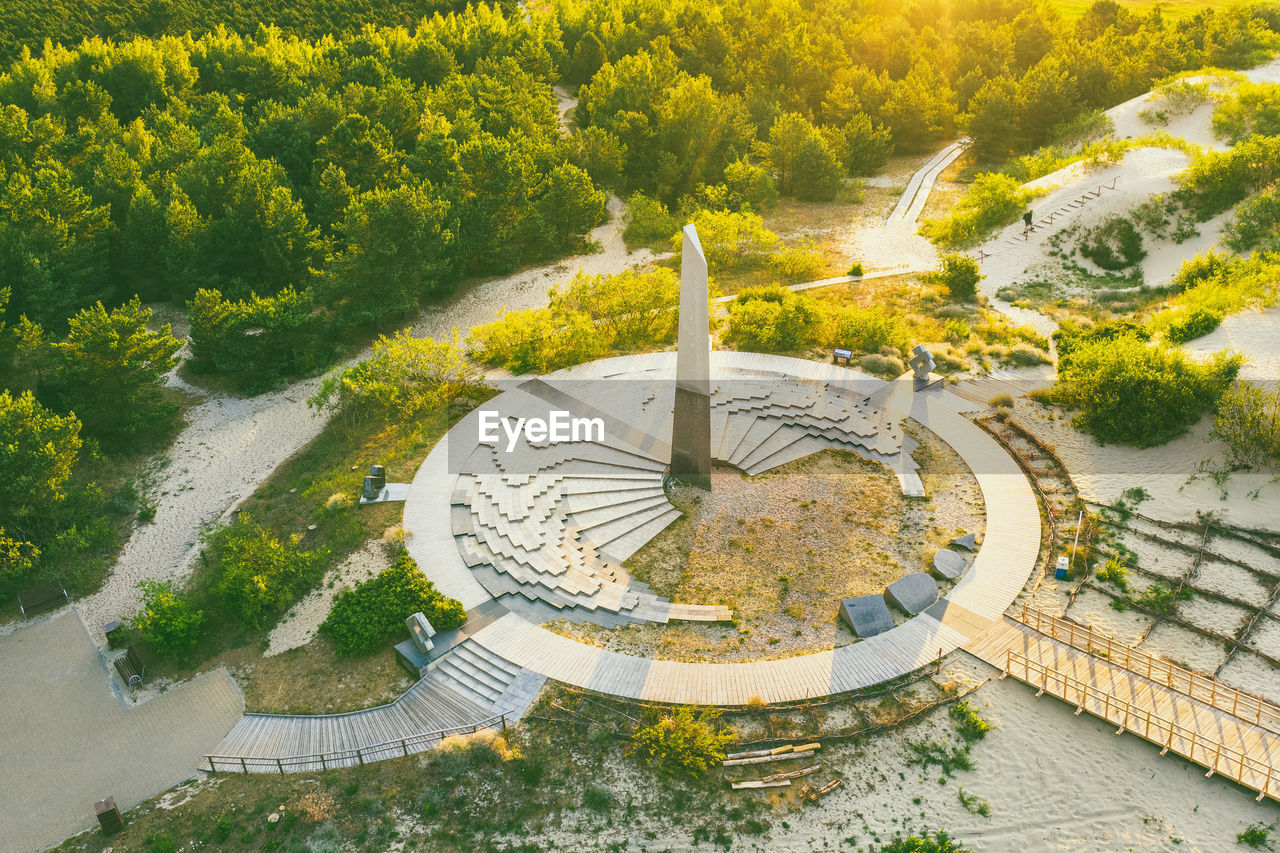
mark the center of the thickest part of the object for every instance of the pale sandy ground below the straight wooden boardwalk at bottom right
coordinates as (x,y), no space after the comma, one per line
(1054,782)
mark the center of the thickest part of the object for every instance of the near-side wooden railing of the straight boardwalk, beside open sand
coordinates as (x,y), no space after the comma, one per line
(1192,745)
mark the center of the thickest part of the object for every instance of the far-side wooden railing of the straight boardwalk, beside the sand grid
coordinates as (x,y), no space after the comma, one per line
(1197,686)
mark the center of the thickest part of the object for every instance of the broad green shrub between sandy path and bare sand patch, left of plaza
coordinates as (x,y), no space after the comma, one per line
(258,574)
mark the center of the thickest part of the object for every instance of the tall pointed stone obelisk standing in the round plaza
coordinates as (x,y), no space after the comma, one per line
(692,427)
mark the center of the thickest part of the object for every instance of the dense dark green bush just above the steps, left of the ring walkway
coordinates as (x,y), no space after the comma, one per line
(374,613)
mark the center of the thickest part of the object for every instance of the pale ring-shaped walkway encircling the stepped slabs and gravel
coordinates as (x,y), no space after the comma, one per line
(1000,572)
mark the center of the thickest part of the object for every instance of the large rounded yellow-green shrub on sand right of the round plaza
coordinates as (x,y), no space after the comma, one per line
(1128,393)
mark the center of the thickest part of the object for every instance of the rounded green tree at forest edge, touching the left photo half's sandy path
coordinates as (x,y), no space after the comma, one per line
(109,368)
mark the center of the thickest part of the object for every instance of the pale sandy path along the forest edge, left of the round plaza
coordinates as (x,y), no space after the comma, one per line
(231,445)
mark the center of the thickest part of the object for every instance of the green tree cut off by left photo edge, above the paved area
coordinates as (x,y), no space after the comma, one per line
(38,458)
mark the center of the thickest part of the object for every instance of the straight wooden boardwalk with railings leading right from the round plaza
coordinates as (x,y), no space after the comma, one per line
(1118,688)
